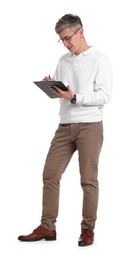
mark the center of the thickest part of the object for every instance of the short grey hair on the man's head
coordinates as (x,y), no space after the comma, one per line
(68,21)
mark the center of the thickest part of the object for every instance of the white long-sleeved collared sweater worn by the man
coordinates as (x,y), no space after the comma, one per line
(89,74)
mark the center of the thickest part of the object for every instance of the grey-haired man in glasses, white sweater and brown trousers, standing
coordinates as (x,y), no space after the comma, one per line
(88,76)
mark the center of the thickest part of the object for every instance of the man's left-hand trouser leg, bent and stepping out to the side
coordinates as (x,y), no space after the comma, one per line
(58,157)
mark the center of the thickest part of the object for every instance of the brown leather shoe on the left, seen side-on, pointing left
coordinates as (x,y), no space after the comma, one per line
(38,234)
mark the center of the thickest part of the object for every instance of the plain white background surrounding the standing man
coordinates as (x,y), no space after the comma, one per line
(28,118)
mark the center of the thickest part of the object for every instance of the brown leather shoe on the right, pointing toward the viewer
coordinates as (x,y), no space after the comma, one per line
(86,237)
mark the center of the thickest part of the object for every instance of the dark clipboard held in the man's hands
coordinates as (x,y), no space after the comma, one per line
(46,87)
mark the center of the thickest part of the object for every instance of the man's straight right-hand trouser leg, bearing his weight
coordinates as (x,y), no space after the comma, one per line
(89,145)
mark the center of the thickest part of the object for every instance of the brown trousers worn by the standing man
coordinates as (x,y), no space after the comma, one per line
(87,139)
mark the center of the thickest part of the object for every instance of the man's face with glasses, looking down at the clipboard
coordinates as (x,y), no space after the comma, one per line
(72,39)
